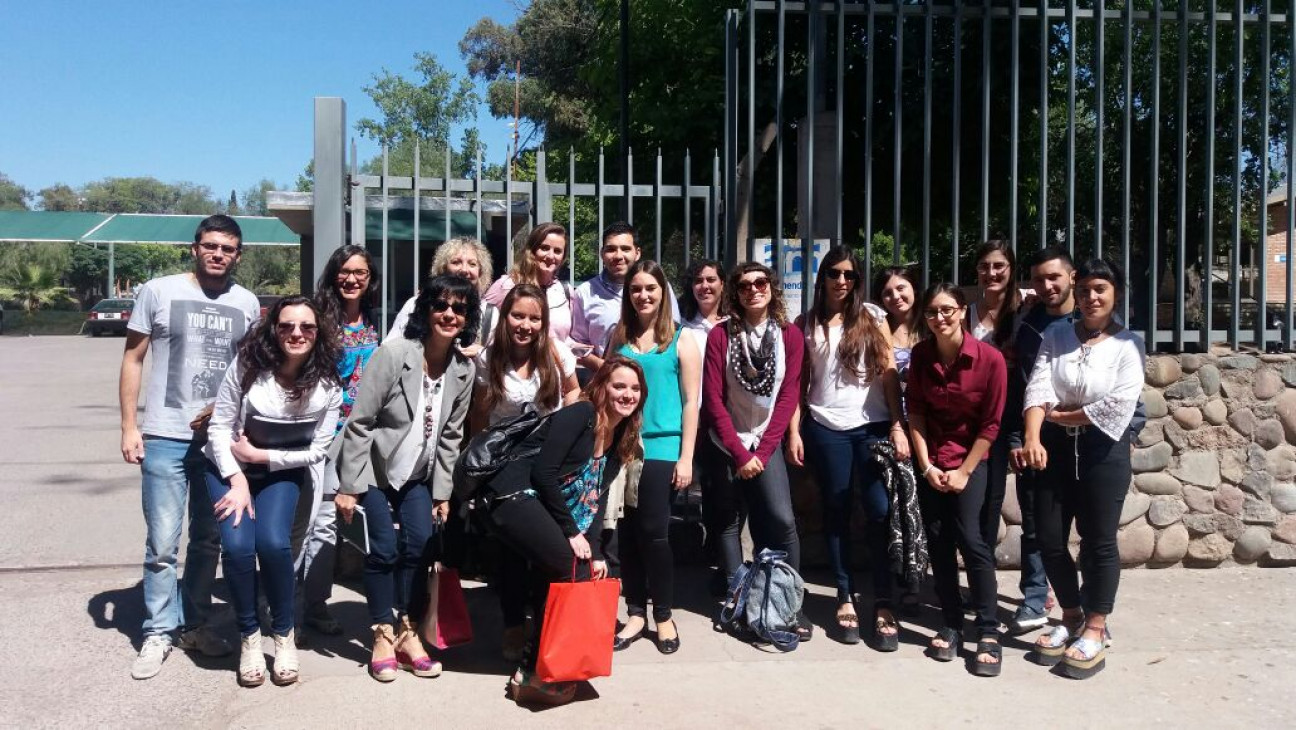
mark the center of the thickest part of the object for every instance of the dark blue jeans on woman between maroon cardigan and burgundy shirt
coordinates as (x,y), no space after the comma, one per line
(842,460)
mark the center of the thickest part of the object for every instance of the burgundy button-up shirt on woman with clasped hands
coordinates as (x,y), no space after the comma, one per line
(961,404)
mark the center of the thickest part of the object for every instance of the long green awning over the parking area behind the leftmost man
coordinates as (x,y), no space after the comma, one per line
(130,229)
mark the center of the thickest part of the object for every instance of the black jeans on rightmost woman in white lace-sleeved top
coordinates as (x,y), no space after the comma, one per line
(1087,482)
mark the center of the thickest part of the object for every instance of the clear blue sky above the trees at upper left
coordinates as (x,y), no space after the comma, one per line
(218,93)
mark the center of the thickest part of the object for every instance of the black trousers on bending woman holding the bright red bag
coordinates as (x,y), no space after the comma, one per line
(527,527)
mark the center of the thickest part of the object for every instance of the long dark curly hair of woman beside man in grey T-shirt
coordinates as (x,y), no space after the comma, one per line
(260,352)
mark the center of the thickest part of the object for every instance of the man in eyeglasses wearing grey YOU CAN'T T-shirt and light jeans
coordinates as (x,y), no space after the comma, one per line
(194,324)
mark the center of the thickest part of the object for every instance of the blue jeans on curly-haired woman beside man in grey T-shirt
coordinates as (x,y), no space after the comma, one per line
(266,539)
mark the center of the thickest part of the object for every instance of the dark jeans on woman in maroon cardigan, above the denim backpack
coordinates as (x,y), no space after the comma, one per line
(765,500)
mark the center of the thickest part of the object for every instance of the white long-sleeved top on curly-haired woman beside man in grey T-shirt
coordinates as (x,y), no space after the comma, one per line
(268,399)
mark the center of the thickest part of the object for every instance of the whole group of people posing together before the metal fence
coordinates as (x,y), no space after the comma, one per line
(272,431)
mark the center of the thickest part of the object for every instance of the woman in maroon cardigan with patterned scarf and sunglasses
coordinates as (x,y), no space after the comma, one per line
(751,375)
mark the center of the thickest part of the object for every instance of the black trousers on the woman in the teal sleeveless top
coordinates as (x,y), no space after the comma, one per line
(647,565)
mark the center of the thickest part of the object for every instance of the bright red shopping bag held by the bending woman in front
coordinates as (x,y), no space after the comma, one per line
(580,624)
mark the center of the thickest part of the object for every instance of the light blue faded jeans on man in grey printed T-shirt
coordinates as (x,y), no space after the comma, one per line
(172,477)
